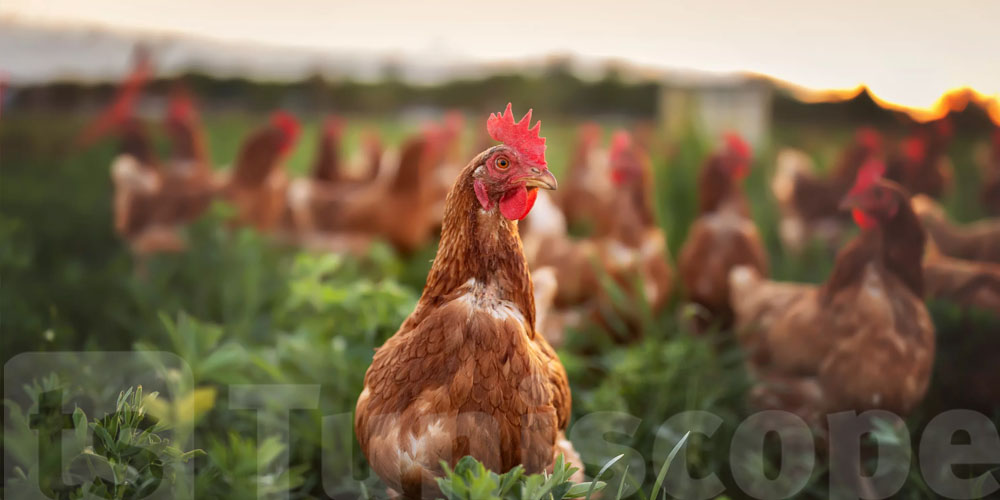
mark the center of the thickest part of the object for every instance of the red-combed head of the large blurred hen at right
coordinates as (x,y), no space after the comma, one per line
(872,200)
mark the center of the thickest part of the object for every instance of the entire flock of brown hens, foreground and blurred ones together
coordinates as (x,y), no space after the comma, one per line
(861,340)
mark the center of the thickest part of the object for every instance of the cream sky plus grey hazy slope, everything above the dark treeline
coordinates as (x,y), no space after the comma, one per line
(908,54)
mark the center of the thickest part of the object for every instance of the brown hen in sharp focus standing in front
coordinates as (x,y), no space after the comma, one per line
(467,373)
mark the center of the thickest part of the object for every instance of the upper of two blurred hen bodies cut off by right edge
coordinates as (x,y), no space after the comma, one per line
(978,241)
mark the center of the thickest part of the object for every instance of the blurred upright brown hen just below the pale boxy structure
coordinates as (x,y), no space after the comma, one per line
(723,236)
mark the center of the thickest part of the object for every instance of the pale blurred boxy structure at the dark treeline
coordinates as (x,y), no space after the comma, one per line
(716,104)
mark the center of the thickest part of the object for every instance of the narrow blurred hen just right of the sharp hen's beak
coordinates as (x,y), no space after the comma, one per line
(584,197)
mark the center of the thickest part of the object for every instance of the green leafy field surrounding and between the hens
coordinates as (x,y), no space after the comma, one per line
(242,314)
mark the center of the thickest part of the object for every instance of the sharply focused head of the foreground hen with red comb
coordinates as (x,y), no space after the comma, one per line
(510,174)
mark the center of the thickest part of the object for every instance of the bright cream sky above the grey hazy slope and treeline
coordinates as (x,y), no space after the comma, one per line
(908,52)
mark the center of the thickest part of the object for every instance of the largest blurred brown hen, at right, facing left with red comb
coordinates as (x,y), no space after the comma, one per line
(862,340)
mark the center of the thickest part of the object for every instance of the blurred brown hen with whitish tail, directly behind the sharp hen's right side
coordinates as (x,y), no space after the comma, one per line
(633,253)
